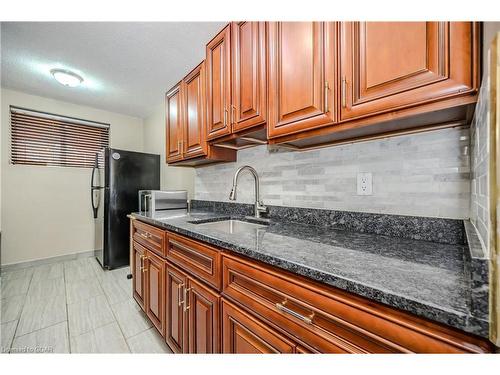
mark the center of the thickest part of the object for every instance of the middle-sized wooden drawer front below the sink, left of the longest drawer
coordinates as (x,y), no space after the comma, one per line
(202,261)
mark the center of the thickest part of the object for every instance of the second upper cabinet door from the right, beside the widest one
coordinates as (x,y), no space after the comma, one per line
(302,63)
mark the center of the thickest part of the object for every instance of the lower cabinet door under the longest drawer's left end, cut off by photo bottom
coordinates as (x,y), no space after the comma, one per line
(243,334)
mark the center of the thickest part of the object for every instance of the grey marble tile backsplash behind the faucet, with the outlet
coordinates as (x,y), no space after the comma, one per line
(425,174)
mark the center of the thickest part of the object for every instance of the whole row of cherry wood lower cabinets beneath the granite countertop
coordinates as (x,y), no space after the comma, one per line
(264,309)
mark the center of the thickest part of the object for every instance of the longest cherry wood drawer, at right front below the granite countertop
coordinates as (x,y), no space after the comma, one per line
(330,320)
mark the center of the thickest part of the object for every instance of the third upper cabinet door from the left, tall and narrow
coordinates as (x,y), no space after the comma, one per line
(218,67)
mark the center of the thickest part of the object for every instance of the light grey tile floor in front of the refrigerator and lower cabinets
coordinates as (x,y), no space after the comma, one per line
(73,307)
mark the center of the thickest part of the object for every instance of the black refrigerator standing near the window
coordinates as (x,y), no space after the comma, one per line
(116,178)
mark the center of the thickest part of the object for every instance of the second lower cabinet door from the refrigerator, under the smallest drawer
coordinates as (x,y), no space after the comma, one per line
(155,291)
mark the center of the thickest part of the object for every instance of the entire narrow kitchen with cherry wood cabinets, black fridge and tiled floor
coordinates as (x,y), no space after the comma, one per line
(273,187)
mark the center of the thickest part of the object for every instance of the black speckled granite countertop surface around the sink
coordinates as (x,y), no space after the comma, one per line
(422,277)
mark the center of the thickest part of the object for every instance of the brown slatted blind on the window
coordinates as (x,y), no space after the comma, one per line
(39,138)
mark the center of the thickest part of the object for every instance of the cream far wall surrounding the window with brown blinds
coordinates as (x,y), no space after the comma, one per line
(46,211)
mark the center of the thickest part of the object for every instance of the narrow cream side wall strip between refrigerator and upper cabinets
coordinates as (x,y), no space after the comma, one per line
(172,178)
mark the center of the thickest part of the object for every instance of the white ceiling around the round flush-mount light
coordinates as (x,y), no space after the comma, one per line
(127,66)
